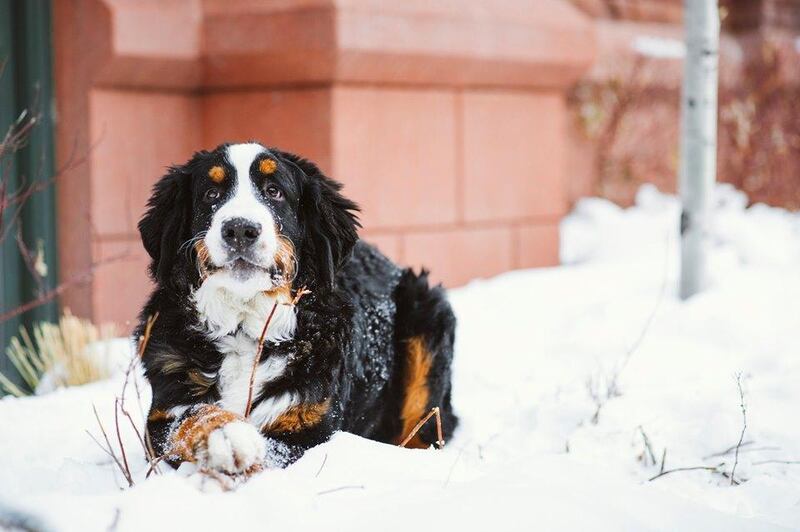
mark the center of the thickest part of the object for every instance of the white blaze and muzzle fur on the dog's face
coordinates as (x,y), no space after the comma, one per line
(243,203)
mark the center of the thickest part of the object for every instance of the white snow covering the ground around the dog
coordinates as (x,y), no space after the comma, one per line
(571,384)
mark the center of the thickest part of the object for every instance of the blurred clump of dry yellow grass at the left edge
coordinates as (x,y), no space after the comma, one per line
(58,351)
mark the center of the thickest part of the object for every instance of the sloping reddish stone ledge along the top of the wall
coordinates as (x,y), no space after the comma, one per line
(215,45)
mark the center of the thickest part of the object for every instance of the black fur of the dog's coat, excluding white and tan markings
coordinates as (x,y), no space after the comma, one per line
(350,344)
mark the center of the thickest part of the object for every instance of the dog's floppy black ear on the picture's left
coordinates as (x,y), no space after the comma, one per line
(167,222)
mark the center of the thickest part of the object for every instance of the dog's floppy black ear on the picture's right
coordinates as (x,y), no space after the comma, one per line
(329,219)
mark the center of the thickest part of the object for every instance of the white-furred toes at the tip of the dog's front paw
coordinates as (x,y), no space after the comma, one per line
(235,447)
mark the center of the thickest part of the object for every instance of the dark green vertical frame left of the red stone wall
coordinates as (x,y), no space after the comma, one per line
(26,83)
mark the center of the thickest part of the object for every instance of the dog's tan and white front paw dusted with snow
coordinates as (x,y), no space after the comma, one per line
(219,440)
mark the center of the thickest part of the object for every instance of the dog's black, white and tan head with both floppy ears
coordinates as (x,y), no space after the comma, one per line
(251,217)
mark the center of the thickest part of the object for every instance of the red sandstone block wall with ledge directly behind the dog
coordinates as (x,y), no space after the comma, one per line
(447,121)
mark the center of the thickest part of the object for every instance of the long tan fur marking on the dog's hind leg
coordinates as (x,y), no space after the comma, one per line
(415,402)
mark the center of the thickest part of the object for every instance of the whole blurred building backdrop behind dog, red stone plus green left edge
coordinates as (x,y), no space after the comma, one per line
(464,128)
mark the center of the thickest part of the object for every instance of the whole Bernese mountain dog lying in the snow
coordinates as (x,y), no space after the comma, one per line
(234,235)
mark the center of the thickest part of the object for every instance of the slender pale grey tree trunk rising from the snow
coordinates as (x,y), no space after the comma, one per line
(698,148)
